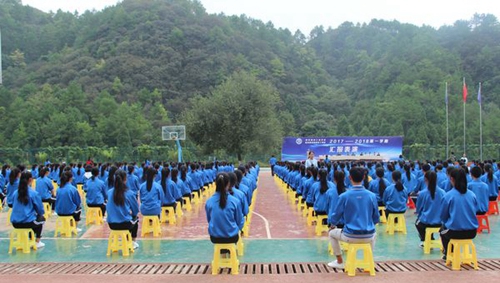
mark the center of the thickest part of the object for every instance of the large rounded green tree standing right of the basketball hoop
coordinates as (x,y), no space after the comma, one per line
(238,117)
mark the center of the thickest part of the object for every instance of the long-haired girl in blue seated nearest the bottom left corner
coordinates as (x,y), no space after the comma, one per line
(27,209)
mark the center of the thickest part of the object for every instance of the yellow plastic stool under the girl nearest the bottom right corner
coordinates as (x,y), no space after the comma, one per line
(464,252)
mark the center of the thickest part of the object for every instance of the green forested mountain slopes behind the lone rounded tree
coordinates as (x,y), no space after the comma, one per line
(112,78)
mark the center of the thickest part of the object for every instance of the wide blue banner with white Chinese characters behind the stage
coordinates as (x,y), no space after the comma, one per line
(386,148)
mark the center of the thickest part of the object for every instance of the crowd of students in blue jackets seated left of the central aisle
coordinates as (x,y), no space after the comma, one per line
(118,189)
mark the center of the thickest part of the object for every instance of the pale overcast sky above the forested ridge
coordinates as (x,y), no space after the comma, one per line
(304,15)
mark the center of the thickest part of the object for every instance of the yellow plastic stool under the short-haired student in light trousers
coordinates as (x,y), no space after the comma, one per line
(353,262)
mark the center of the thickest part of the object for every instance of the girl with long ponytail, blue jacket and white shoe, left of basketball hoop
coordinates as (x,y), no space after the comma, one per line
(122,207)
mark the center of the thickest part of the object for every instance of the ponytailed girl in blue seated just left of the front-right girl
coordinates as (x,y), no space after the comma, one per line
(429,206)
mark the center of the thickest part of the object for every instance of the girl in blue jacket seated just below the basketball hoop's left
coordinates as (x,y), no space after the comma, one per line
(151,195)
